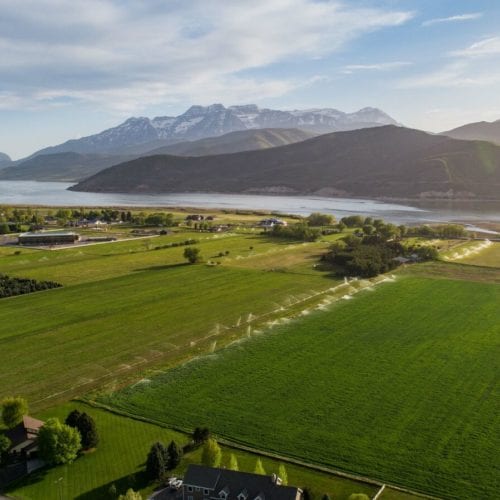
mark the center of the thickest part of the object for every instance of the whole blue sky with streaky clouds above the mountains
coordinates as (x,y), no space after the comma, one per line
(71,68)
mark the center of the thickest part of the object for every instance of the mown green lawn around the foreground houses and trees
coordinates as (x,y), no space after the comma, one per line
(120,459)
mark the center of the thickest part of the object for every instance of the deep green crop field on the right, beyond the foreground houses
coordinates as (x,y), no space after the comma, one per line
(399,384)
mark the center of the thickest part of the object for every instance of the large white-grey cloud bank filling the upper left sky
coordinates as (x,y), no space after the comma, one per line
(125,55)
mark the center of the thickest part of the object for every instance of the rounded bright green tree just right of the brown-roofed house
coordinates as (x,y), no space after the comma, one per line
(58,443)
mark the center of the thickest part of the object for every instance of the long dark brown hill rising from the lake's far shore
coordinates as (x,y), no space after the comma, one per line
(388,161)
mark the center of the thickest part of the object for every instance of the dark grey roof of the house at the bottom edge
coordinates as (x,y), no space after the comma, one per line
(235,482)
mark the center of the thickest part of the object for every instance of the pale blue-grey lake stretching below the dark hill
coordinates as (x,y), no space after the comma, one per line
(56,194)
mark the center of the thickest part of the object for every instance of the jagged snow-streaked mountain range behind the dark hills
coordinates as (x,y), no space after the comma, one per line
(137,136)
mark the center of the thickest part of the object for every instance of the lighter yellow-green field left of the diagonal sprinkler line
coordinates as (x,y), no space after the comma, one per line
(125,305)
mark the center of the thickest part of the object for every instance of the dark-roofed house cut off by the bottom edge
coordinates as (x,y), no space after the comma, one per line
(208,483)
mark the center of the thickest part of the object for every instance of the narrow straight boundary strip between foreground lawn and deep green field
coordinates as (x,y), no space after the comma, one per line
(239,446)
